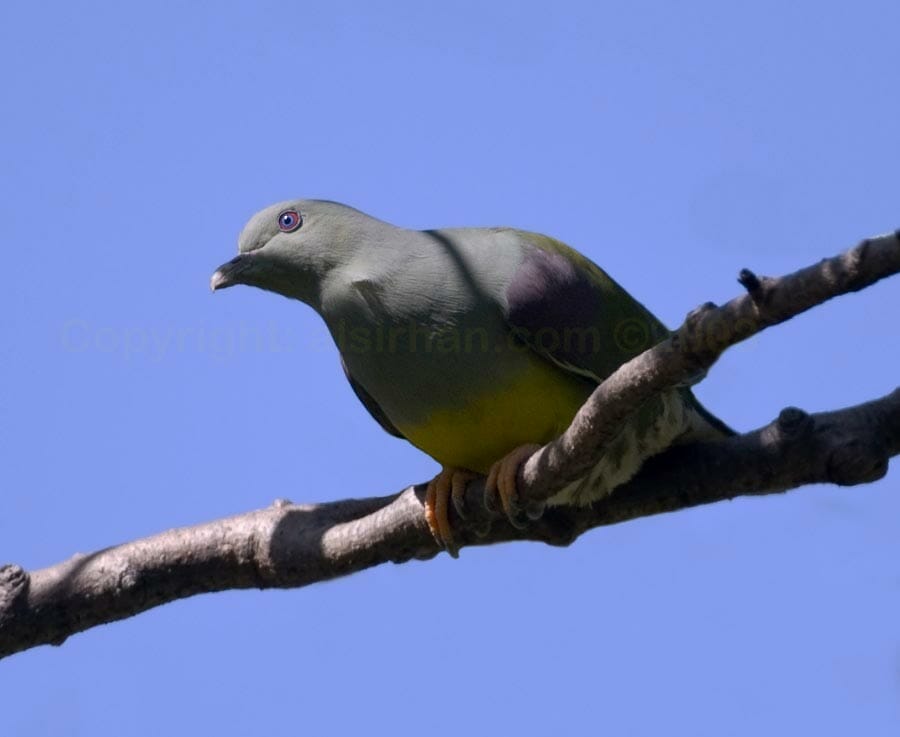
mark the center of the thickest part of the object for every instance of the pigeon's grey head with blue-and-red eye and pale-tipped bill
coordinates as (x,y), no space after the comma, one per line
(292,246)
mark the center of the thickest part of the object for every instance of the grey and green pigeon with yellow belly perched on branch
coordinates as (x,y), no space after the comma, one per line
(476,345)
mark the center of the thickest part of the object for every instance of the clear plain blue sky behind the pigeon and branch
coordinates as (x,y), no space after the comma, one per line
(672,143)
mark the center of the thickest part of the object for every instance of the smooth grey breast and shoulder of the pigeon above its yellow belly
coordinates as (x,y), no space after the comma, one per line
(423,330)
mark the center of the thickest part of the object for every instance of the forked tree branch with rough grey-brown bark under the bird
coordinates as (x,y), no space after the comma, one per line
(288,545)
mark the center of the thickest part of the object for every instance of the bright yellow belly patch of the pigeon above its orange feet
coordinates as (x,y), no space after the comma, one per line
(534,407)
